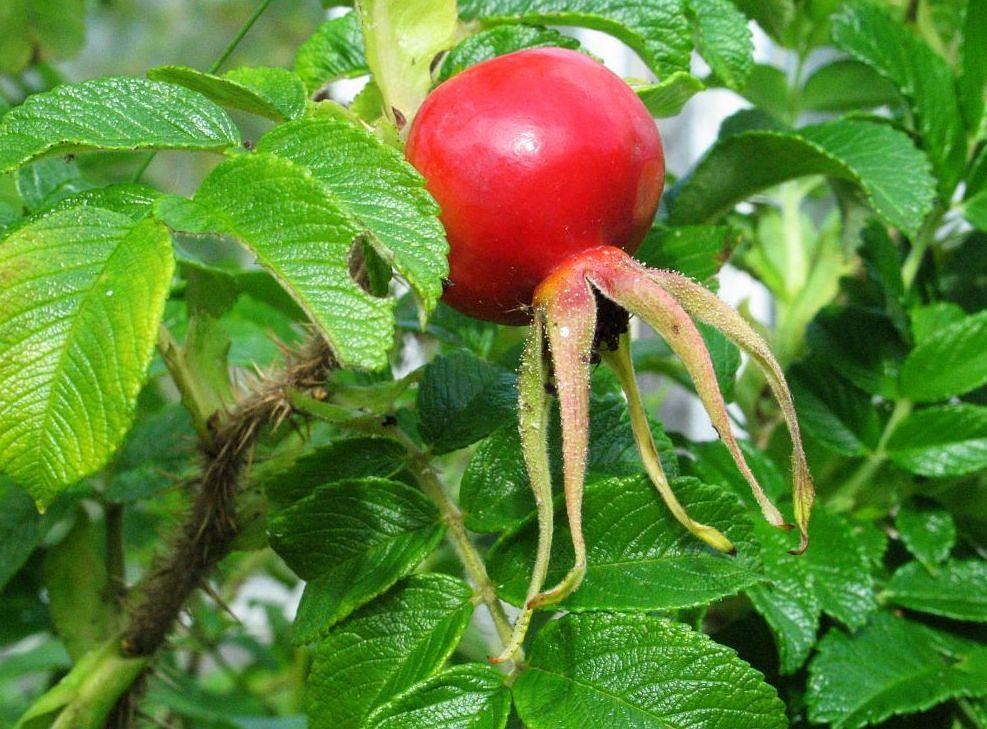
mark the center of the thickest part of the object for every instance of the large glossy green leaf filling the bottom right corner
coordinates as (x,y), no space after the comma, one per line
(890,667)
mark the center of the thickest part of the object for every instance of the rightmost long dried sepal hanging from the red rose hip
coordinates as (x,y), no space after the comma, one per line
(704,305)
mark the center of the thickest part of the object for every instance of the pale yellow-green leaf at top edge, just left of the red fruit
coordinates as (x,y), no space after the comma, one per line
(402,40)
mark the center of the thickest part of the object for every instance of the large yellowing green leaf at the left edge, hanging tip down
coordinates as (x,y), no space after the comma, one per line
(83,292)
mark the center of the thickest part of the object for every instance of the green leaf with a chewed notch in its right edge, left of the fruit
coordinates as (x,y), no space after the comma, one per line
(301,235)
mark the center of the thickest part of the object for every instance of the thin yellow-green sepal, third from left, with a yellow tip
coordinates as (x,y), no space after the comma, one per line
(620,362)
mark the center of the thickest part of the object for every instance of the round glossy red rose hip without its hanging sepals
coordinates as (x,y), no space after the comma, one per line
(533,157)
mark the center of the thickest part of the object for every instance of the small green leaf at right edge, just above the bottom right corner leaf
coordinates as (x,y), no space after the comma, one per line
(957,590)
